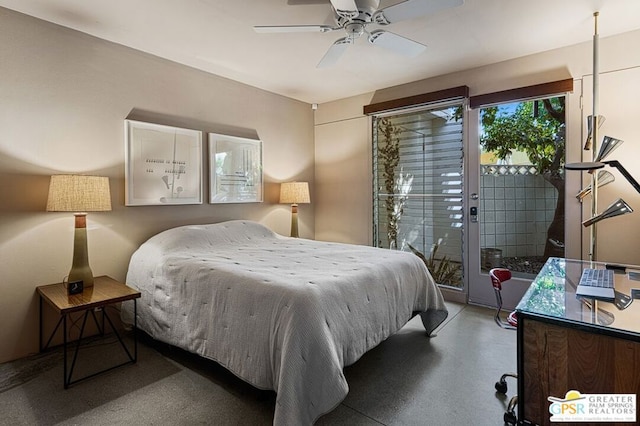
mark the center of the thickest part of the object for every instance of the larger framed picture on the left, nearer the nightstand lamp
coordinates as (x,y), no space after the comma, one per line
(163,165)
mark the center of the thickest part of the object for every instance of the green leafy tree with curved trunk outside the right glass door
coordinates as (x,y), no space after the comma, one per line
(536,128)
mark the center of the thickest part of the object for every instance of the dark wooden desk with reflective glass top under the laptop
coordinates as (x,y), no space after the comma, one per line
(568,343)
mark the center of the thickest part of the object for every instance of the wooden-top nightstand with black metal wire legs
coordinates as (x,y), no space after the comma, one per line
(105,291)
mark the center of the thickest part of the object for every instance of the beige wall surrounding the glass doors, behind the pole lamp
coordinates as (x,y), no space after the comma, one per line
(341,129)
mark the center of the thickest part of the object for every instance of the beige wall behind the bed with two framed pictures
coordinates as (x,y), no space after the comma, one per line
(64,97)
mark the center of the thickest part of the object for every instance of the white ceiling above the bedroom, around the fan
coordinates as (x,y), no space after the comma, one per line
(217,36)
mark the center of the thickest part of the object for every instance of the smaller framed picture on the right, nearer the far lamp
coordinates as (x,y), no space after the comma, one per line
(235,174)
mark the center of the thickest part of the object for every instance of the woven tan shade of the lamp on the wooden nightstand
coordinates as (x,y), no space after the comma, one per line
(79,193)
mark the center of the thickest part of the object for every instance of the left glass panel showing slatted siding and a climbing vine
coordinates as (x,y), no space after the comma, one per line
(418,187)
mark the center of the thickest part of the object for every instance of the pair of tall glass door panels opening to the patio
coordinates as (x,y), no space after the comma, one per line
(469,190)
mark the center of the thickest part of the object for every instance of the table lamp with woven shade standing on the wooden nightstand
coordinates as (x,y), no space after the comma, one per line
(79,194)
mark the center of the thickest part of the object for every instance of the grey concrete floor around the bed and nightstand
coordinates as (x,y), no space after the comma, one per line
(408,379)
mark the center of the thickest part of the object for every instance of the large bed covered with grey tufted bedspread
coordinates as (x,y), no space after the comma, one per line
(281,313)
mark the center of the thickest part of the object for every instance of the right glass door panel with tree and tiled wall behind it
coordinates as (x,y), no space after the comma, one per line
(518,194)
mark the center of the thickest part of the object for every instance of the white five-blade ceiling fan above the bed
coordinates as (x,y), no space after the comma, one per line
(353,16)
